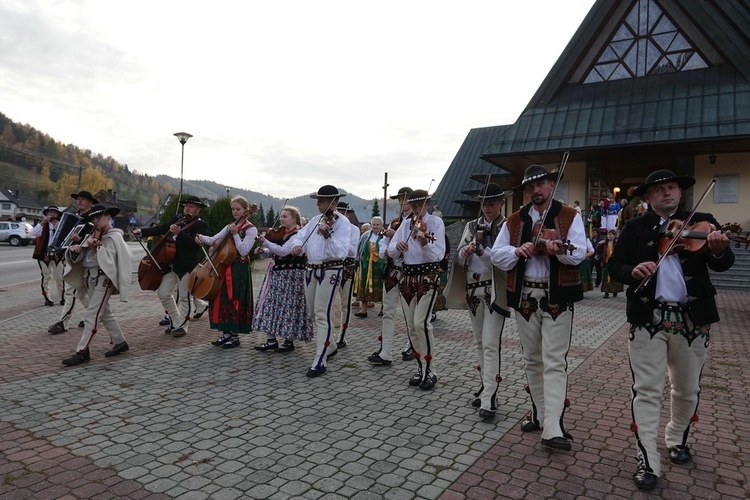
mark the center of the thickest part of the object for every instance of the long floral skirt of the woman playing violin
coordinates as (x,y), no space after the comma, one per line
(281,309)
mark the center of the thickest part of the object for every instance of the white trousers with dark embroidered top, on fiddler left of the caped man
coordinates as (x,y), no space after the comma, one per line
(418,293)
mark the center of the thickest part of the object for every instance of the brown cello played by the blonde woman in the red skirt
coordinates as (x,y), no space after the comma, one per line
(206,278)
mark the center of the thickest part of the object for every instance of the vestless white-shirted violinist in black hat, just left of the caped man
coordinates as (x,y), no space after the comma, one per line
(421,242)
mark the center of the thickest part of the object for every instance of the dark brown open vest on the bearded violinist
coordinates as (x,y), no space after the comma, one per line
(564,280)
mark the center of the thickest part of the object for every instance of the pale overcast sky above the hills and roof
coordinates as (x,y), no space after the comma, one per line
(280,96)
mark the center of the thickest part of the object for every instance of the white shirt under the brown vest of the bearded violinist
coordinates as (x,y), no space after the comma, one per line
(503,254)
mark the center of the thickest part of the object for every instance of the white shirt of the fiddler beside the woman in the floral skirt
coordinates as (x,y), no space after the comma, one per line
(320,249)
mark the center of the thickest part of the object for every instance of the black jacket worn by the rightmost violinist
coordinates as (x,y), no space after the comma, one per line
(638,243)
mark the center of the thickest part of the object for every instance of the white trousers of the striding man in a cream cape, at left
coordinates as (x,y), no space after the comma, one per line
(99,291)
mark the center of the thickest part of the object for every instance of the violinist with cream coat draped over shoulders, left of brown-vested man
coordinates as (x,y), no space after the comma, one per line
(477,284)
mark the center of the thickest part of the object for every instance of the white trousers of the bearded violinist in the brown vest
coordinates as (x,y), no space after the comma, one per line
(545,334)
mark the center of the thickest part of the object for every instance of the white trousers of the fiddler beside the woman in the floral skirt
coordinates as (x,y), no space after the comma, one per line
(320,293)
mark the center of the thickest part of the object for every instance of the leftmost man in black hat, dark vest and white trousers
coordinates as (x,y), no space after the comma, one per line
(50,262)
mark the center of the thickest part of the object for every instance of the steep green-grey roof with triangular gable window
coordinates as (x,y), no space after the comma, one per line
(684,78)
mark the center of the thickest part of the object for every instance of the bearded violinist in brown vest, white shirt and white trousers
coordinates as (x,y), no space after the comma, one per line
(540,247)
